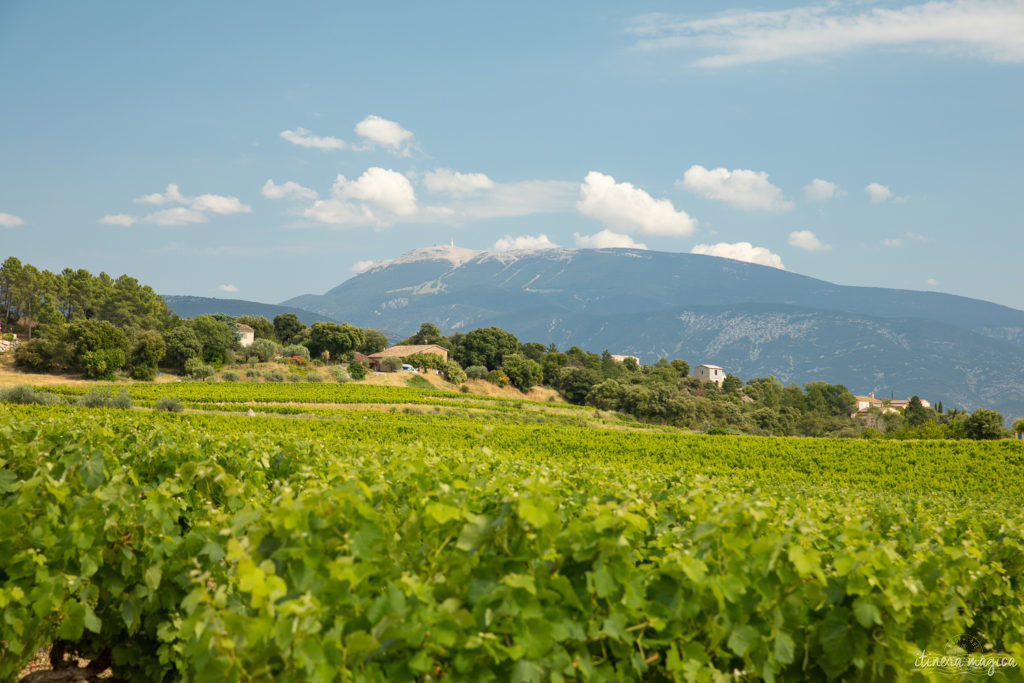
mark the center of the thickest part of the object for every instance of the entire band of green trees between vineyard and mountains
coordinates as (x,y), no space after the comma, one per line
(99,326)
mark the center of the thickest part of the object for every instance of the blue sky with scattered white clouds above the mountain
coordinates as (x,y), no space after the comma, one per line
(263,151)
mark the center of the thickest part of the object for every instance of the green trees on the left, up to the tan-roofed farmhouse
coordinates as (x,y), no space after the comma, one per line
(76,322)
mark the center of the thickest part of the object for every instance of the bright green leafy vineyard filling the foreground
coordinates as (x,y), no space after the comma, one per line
(495,540)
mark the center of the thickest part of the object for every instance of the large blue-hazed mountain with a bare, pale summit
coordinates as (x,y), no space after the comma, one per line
(750,319)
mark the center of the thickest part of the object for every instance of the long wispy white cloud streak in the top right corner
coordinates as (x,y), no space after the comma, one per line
(979,29)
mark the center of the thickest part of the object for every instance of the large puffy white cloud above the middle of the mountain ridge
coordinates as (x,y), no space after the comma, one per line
(625,207)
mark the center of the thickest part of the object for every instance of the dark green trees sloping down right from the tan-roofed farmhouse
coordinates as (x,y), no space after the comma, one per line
(666,394)
